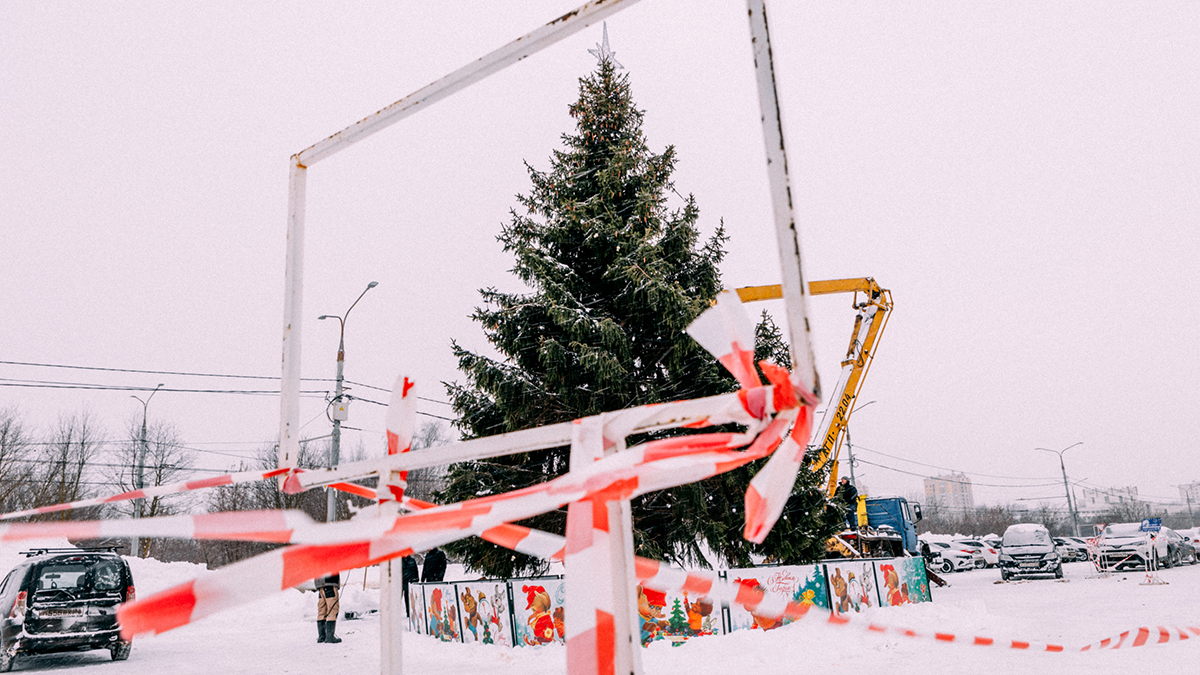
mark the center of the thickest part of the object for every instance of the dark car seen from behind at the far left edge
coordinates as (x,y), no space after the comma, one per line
(64,600)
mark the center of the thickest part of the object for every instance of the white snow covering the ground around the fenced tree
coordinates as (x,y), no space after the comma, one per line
(279,636)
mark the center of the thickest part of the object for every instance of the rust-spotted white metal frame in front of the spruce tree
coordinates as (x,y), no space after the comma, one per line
(794,285)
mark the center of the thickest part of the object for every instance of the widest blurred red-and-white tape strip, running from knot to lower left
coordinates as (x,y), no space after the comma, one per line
(369,541)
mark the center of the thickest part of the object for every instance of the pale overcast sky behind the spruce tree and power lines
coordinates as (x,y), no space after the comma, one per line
(1023,177)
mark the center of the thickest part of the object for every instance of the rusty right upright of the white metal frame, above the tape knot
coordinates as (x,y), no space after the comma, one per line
(787,236)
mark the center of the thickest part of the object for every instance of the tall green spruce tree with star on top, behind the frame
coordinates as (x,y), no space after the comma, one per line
(616,274)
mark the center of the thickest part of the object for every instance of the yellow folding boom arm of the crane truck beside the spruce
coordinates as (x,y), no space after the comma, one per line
(872,318)
